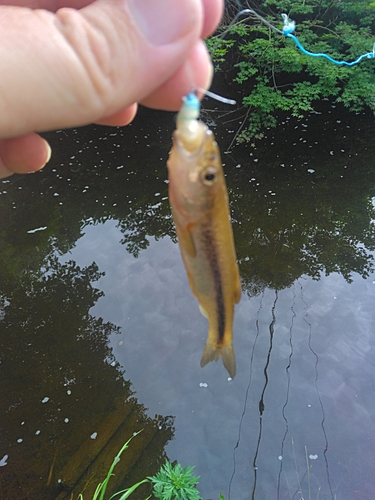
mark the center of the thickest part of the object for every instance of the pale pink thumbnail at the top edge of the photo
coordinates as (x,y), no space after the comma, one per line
(163,21)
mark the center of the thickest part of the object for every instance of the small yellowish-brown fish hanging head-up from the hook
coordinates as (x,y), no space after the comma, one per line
(200,208)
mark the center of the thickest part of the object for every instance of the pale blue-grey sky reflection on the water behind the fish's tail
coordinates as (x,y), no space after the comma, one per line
(305,358)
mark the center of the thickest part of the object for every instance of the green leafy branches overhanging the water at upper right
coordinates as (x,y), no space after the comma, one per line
(277,77)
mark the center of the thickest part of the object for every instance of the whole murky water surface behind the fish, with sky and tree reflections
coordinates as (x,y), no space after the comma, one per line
(100,336)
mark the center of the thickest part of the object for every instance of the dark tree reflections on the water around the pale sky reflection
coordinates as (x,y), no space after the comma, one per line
(287,222)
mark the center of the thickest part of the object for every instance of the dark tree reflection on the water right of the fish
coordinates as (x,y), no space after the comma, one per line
(305,210)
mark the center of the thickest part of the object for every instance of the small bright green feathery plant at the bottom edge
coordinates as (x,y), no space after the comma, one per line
(175,483)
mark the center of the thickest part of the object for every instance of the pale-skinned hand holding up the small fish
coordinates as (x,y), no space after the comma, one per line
(66,63)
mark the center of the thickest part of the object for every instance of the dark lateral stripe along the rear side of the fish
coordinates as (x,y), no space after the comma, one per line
(208,241)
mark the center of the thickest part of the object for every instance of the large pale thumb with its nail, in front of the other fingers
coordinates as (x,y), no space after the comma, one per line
(73,67)
